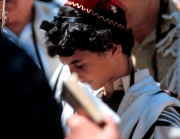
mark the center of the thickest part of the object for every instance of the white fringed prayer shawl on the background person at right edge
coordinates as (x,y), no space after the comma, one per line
(171,45)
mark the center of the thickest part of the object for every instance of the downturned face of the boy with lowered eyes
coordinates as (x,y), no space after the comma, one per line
(92,68)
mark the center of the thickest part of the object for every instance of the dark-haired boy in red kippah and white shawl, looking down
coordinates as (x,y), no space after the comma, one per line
(92,39)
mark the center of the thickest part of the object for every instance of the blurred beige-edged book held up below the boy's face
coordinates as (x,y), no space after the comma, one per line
(83,102)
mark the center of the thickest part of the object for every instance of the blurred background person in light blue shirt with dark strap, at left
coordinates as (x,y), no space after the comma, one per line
(25,19)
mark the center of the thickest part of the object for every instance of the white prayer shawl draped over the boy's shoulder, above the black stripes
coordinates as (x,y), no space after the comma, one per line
(141,104)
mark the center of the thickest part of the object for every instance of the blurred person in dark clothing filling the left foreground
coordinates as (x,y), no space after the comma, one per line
(28,108)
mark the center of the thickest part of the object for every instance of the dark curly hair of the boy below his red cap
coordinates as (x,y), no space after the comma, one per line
(64,37)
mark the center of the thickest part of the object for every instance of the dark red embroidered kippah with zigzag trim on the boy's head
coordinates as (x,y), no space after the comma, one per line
(107,10)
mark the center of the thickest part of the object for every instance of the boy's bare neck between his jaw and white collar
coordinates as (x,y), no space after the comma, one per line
(119,72)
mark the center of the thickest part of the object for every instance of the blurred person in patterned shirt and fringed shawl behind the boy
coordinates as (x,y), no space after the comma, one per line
(156,26)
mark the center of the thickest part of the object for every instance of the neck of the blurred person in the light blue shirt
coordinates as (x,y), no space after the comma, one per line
(17,27)
